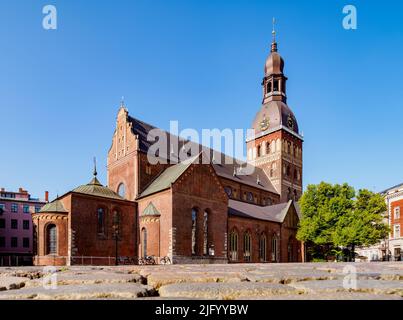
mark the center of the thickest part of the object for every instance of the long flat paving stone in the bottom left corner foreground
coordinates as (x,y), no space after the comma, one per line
(75,292)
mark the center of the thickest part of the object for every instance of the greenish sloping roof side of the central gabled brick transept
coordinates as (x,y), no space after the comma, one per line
(167,177)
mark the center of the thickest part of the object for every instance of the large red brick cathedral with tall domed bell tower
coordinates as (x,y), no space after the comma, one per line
(189,212)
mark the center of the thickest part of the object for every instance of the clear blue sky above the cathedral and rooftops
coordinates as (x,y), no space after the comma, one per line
(201,63)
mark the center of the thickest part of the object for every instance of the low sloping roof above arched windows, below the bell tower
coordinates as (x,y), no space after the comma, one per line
(275,213)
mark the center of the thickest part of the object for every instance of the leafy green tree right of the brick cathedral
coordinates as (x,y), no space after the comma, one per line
(333,217)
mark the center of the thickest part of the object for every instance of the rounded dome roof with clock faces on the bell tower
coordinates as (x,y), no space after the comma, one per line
(273,115)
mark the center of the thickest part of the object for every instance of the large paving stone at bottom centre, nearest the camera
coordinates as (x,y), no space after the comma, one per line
(225,291)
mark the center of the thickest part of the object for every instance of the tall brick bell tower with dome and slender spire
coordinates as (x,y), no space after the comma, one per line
(276,146)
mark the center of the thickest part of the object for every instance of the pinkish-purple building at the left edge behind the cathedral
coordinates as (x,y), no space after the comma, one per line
(16,233)
